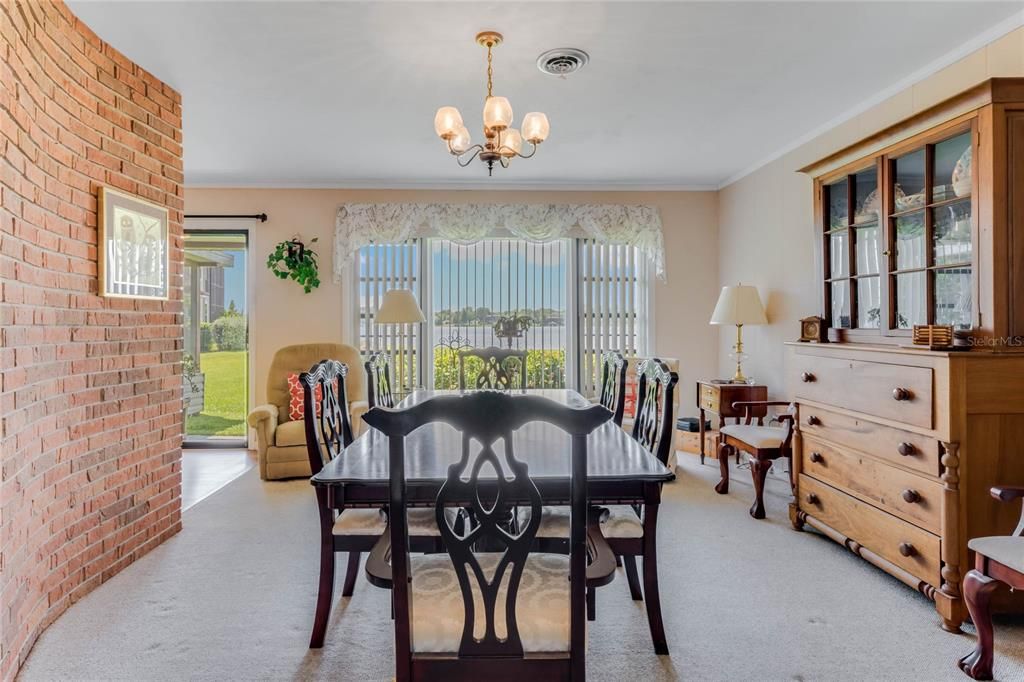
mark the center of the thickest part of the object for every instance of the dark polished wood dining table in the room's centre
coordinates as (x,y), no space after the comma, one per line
(619,472)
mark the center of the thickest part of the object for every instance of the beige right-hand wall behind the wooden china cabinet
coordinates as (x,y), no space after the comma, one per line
(766,231)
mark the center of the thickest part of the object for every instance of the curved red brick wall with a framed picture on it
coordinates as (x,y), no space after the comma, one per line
(91,389)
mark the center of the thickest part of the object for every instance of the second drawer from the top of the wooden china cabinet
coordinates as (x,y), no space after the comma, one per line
(907,449)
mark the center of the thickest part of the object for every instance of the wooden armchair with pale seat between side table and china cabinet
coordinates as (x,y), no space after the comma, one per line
(765,444)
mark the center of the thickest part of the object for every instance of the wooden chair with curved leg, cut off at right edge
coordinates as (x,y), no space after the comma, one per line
(999,563)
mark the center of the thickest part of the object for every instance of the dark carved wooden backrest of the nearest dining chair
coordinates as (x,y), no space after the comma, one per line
(488,480)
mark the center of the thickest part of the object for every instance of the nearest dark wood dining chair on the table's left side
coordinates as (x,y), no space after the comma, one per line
(329,432)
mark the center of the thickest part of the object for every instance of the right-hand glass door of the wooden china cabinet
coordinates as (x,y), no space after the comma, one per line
(931,235)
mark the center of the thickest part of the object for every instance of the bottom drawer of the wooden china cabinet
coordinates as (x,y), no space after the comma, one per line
(879,532)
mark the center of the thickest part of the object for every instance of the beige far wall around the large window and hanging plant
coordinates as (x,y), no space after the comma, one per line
(284,315)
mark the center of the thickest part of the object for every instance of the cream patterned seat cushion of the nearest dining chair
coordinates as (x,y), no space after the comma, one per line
(542,604)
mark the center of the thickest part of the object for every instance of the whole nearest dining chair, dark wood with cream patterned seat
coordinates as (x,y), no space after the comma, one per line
(466,615)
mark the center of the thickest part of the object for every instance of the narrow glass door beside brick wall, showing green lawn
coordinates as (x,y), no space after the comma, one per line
(217,361)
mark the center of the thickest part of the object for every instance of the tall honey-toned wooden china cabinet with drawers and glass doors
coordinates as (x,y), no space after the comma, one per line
(898,446)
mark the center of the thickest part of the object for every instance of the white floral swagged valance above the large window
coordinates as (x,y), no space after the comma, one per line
(361,225)
